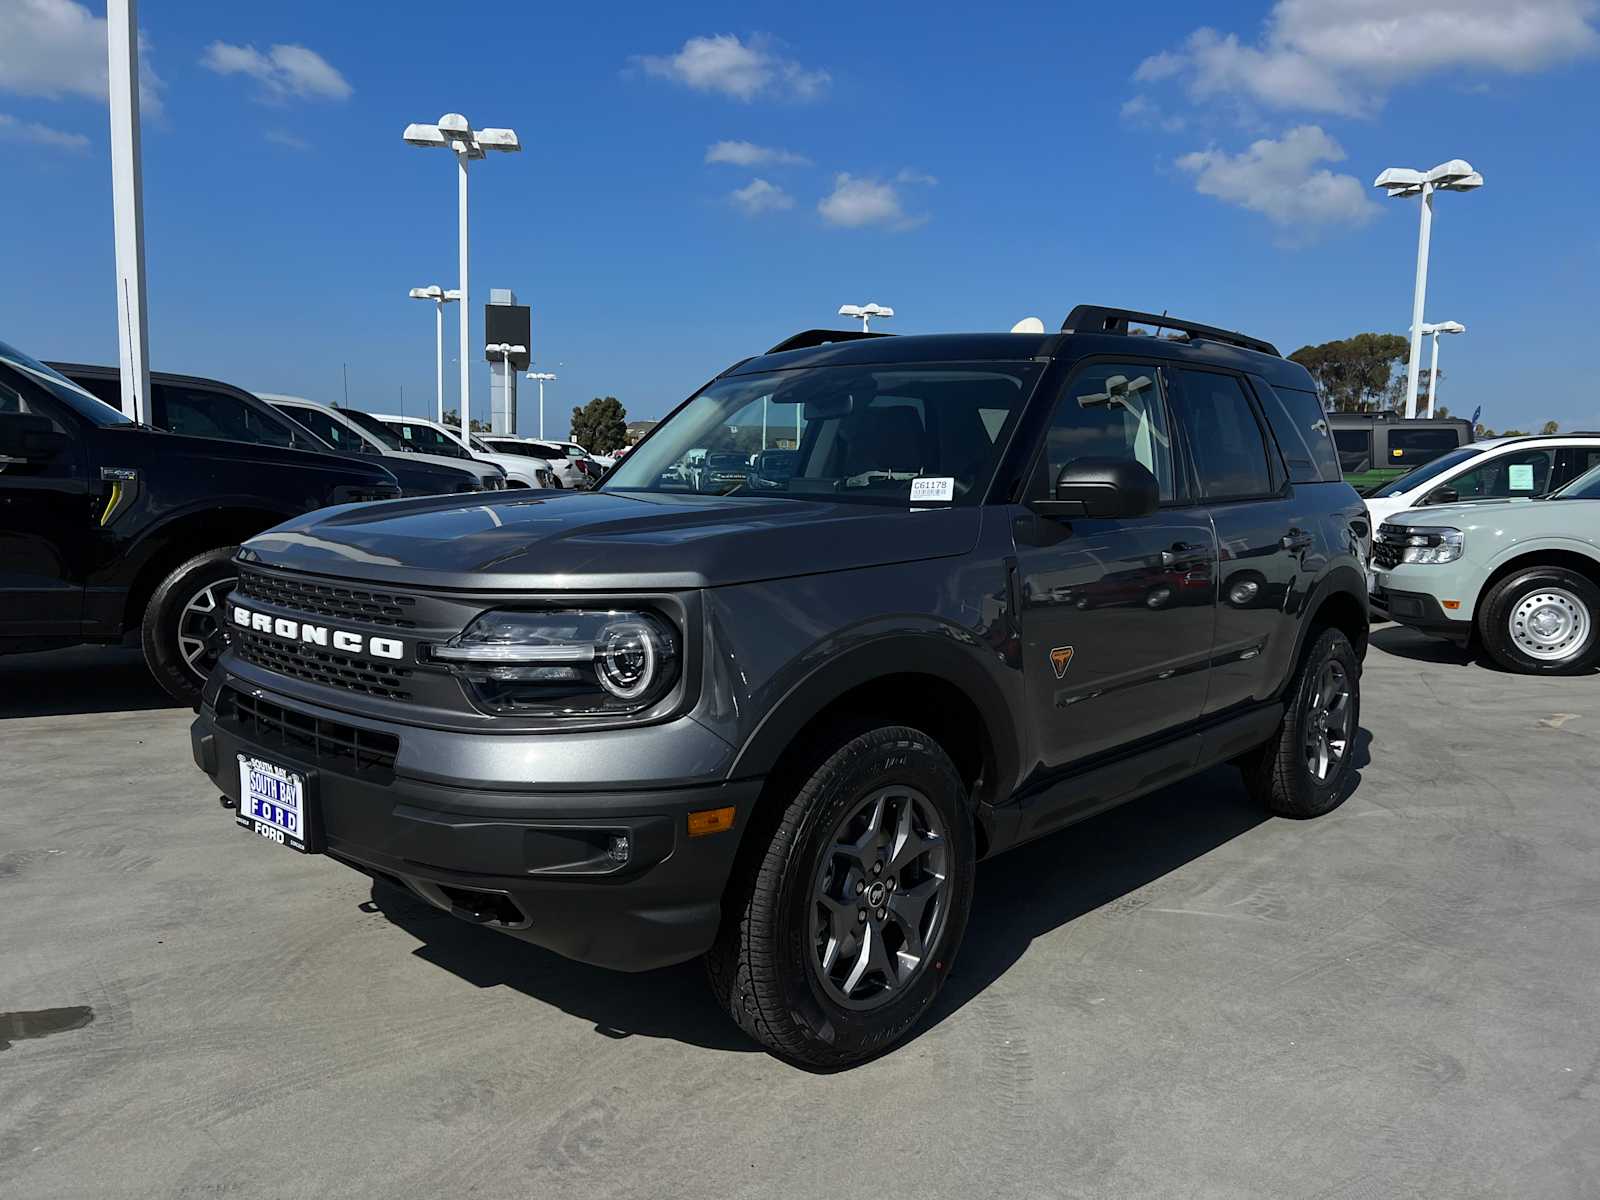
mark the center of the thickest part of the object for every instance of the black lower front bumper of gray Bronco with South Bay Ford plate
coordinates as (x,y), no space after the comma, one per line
(610,878)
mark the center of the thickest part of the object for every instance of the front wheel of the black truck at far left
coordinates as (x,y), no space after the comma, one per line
(169,631)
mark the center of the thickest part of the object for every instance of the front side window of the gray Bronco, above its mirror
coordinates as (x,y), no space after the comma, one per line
(1113,410)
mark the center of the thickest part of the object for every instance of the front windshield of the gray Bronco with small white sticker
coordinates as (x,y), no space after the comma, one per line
(858,434)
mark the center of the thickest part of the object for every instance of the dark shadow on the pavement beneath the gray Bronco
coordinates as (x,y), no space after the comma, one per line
(1022,897)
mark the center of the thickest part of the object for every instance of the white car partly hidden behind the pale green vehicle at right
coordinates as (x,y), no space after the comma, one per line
(1502,468)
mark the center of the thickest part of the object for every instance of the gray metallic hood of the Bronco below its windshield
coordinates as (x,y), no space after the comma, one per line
(607,540)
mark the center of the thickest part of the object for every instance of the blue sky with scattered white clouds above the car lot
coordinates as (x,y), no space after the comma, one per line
(969,166)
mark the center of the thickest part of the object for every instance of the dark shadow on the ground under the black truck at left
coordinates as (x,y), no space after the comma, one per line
(79,681)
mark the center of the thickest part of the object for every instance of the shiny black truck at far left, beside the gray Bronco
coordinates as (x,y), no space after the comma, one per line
(110,527)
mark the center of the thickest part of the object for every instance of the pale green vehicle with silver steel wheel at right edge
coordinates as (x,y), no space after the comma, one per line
(1519,578)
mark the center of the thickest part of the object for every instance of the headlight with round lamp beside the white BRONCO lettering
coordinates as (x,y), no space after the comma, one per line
(566,663)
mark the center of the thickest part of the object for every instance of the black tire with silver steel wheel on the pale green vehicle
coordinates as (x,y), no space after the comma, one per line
(1505,623)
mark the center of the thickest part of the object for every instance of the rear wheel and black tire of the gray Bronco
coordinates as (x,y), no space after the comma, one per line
(1281,775)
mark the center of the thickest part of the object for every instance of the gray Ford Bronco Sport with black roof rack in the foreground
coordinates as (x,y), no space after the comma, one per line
(774,713)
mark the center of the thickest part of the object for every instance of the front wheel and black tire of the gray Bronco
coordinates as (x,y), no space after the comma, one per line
(767,966)
